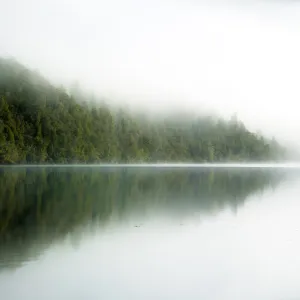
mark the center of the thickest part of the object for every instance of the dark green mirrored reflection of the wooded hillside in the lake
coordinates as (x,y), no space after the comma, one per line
(40,205)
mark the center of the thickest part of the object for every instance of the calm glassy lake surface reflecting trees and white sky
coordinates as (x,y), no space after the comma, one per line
(161,232)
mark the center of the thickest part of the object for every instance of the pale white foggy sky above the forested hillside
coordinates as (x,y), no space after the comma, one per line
(232,56)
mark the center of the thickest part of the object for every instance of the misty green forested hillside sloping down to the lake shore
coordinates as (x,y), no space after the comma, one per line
(40,123)
